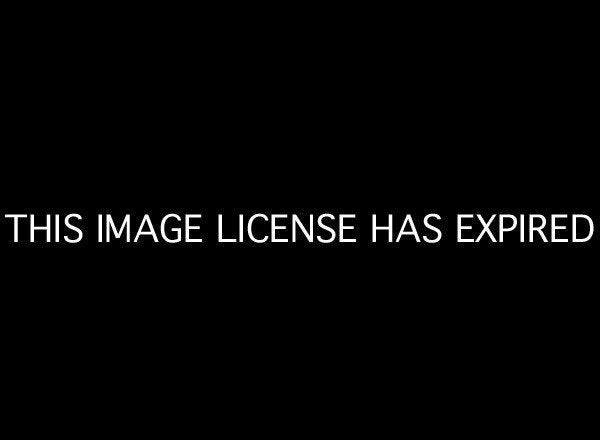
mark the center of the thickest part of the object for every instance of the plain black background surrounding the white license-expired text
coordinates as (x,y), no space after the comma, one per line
(368,113)
